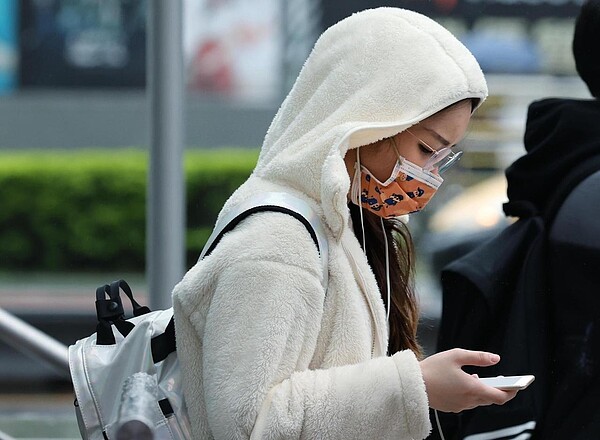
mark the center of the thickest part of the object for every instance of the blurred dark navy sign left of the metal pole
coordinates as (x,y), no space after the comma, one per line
(85,43)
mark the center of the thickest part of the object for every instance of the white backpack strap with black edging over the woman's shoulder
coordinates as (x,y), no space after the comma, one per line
(277,202)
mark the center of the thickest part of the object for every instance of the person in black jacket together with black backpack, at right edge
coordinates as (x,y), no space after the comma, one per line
(532,294)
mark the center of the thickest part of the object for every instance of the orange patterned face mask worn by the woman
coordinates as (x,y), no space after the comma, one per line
(408,189)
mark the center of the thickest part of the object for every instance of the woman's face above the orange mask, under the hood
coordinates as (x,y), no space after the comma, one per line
(444,129)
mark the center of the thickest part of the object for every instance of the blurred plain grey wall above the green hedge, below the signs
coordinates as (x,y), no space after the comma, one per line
(70,119)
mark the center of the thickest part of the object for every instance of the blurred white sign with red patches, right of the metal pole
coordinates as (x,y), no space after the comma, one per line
(233,47)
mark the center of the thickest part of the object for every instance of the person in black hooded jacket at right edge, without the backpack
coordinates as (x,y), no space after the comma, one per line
(563,139)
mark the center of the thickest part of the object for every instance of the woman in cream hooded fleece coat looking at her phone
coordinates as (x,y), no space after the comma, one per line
(265,351)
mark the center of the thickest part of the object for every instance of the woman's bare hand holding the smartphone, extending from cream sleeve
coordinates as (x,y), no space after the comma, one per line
(450,389)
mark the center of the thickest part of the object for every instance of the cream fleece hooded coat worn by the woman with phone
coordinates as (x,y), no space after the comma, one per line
(265,351)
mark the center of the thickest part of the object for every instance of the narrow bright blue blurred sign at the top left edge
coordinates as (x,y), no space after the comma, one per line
(8,45)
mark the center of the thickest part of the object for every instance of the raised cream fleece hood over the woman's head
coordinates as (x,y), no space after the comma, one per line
(368,77)
